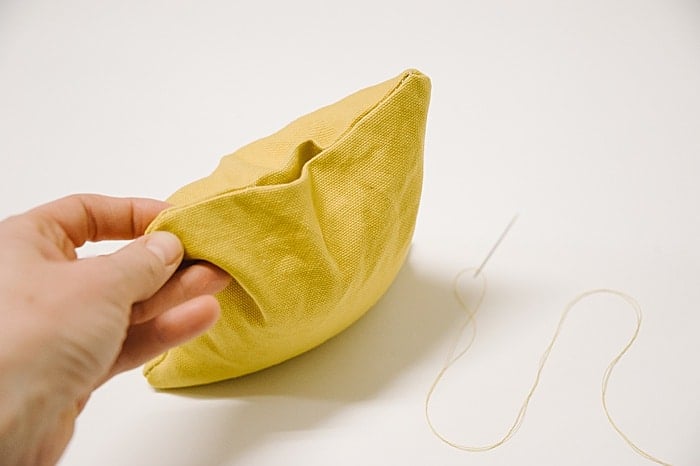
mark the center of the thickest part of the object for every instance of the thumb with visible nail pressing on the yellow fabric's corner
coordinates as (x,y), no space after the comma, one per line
(136,271)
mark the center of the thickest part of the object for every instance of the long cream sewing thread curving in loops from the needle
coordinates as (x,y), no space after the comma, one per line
(452,358)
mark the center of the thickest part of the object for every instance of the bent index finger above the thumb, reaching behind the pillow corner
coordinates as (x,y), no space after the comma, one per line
(91,217)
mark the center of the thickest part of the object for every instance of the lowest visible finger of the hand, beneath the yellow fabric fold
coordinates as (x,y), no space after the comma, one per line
(179,324)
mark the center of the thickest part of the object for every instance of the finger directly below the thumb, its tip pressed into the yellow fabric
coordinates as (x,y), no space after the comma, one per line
(195,280)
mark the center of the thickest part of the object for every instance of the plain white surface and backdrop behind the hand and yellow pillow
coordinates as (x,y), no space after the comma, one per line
(583,116)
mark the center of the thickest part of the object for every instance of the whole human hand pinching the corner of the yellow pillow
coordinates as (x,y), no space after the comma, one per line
(67,324)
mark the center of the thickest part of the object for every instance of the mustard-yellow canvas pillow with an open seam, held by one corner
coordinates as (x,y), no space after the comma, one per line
(313,223)
